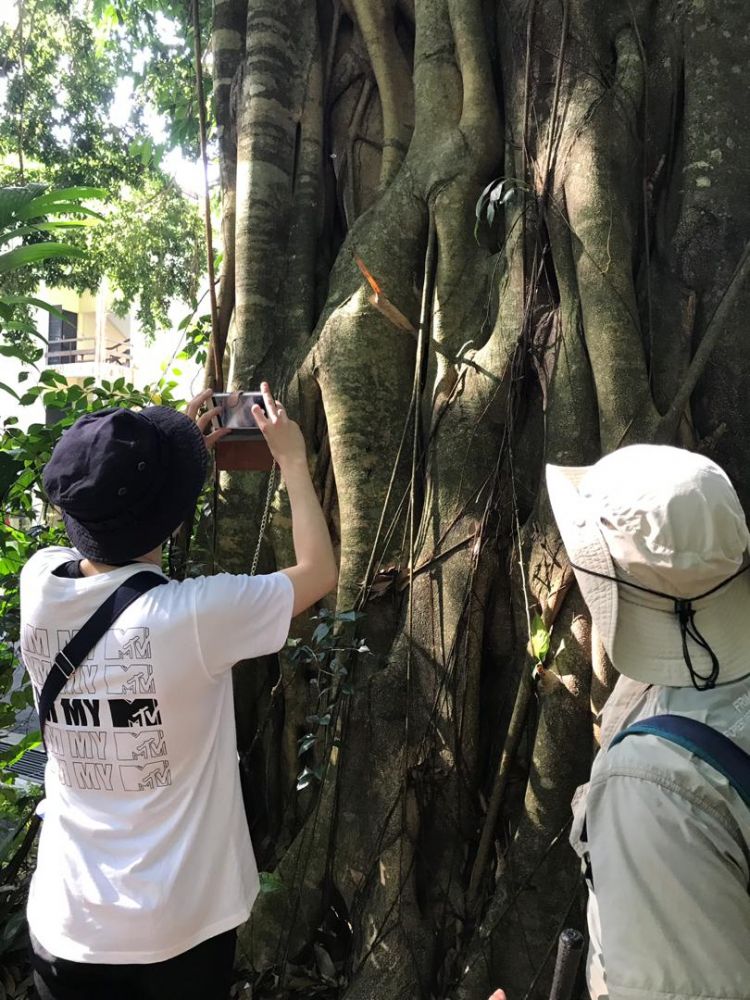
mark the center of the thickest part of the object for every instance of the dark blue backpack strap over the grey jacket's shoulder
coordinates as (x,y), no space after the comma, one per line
(707,743)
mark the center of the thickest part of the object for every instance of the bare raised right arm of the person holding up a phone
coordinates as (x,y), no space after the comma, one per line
(315,573)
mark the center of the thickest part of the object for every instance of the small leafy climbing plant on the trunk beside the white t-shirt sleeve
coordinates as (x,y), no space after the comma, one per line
(333,642)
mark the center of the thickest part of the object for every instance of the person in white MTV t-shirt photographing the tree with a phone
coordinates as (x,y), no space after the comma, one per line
(145,864)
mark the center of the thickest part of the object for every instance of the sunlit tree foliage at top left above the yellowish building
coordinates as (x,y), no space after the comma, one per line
(88,85)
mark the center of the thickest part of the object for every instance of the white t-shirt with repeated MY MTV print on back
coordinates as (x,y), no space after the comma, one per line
(144,850)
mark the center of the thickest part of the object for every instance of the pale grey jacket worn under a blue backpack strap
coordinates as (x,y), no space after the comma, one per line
(669,843)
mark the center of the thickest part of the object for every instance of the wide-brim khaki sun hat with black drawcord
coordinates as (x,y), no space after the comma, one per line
(669,521)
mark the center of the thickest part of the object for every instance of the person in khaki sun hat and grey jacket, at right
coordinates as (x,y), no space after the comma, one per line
(660,547)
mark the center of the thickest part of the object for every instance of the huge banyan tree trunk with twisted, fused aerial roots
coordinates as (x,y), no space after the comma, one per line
(464,238)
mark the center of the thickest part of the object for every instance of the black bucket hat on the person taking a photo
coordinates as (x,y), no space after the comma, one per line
(124,480)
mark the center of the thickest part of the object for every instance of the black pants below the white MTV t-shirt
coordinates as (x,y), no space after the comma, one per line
(203,973)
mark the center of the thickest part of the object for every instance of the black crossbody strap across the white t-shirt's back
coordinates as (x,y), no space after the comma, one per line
(81,644)
